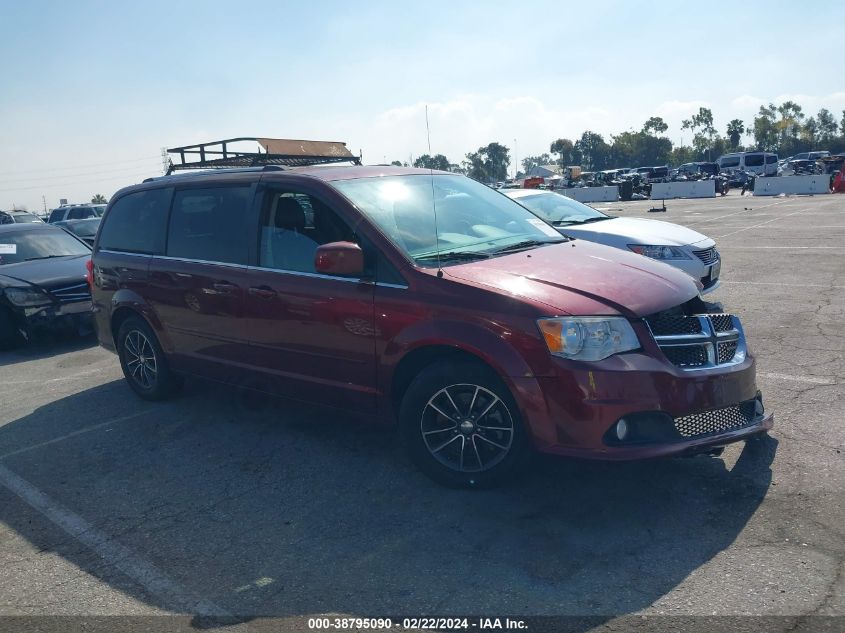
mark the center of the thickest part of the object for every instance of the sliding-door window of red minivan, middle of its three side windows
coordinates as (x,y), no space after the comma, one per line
(210,224)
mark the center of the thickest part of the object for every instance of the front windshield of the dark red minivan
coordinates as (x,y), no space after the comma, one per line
(472,220)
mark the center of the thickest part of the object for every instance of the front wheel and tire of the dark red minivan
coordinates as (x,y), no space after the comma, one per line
(460,425)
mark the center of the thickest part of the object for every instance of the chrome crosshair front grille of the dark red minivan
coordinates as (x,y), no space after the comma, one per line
(698,341)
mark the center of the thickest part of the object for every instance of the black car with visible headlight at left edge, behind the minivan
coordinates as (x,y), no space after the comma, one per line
(43,284)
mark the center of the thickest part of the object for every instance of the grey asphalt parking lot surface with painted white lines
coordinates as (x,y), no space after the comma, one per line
(218,504)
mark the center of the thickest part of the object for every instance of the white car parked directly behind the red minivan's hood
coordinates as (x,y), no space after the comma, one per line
(678,246)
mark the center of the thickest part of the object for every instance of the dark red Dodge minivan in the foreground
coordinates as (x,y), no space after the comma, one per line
(425,299)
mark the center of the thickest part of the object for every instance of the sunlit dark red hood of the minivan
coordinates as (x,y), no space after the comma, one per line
(582,278)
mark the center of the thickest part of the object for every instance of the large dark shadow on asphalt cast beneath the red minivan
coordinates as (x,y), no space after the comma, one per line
(269,508)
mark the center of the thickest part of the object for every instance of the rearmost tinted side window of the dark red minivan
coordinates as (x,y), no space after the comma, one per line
(136,223)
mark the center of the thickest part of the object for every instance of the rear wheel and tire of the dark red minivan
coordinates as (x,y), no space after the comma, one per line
(142,360)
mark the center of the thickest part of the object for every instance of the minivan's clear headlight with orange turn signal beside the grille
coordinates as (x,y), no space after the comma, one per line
(588,338)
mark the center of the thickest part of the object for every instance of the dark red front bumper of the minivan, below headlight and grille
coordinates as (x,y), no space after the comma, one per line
(574,412)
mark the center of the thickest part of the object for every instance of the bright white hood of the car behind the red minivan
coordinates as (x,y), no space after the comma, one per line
(637,231)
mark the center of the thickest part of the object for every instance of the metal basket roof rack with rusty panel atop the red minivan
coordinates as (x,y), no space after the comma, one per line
(280,152)
